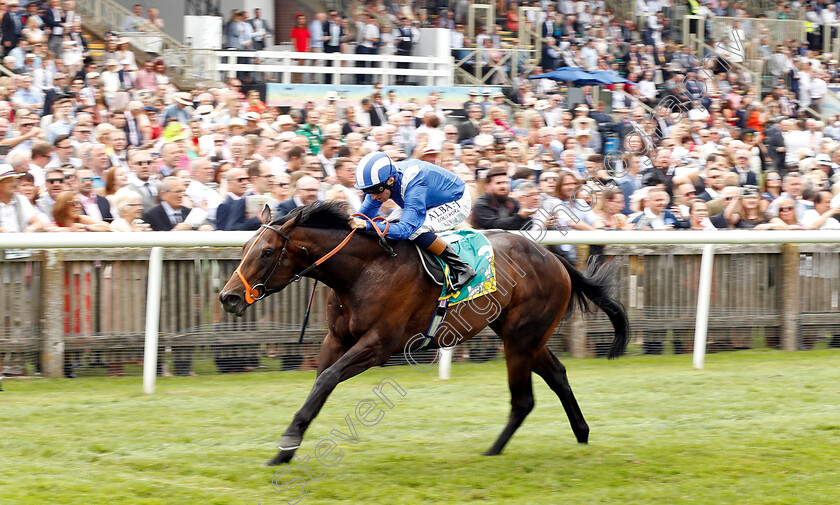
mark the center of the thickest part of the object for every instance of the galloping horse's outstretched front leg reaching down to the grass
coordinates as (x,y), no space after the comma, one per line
(367,353)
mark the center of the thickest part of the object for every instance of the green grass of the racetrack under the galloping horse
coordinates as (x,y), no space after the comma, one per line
(757,427)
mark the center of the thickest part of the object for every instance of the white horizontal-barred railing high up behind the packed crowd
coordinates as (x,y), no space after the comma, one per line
(423,70)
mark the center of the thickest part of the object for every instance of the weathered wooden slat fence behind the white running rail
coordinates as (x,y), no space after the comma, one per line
(95,299)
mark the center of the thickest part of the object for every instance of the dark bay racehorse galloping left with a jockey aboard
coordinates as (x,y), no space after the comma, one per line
(379,305)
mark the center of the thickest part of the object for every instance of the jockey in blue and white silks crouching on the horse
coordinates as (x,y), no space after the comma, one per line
(432,200)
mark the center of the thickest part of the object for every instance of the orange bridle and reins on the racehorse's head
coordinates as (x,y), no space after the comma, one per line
(259,291)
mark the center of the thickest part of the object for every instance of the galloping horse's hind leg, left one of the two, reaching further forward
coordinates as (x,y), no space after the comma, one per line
(521,394)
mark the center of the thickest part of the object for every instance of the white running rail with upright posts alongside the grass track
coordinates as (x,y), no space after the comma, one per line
(158,240)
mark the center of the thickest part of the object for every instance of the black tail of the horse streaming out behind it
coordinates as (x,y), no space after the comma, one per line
(597,284)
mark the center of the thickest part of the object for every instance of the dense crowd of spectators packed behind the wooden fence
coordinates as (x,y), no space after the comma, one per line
(122,149)
